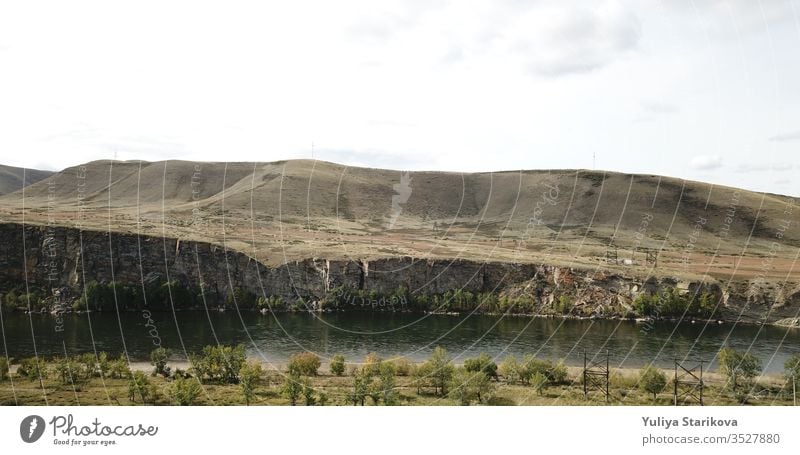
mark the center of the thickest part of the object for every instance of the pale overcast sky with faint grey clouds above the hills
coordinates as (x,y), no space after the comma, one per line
(702,90)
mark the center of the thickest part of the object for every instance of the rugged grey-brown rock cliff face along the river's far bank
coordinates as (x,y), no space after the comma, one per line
(63,259)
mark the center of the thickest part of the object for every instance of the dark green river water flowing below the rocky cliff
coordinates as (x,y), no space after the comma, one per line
(275,337)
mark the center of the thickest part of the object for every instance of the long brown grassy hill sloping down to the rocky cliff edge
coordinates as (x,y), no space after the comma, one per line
(291,210)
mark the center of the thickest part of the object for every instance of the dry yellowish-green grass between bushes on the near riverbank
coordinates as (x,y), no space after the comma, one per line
(623,391)
